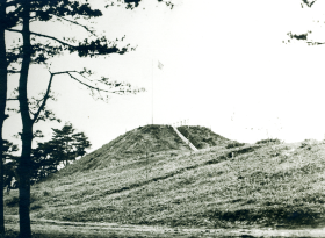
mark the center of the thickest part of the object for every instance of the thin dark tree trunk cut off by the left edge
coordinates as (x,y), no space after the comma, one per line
(3,100)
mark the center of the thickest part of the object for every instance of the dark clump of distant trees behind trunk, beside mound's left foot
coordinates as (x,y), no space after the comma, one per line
(65,146)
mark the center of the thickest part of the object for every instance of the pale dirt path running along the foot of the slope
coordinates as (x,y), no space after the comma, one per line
(91,229)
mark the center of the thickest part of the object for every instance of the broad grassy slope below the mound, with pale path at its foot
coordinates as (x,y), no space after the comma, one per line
(264,191)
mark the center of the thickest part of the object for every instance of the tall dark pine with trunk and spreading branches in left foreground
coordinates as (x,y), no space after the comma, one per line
(32,110)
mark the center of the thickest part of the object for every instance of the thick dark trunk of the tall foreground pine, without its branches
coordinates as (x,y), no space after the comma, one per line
(27,132)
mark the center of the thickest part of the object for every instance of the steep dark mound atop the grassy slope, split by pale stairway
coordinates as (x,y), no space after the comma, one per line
(146,141)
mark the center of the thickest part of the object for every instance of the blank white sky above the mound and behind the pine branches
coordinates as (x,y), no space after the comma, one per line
(222,60)
